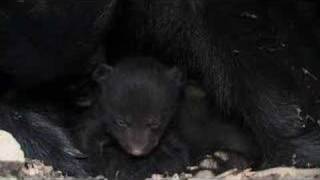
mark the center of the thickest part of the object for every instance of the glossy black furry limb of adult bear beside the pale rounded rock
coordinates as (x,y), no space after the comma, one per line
(41,139)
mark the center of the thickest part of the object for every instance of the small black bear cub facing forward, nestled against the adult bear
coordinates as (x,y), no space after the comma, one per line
(132,128)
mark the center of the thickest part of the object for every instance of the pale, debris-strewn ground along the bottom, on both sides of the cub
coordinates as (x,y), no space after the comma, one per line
(34,169)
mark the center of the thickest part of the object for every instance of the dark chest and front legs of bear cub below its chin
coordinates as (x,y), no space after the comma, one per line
(170,156)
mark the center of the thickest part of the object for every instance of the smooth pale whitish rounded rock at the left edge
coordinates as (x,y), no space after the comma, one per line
(10,149)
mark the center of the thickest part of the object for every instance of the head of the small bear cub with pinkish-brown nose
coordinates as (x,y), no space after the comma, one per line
(137,101)
